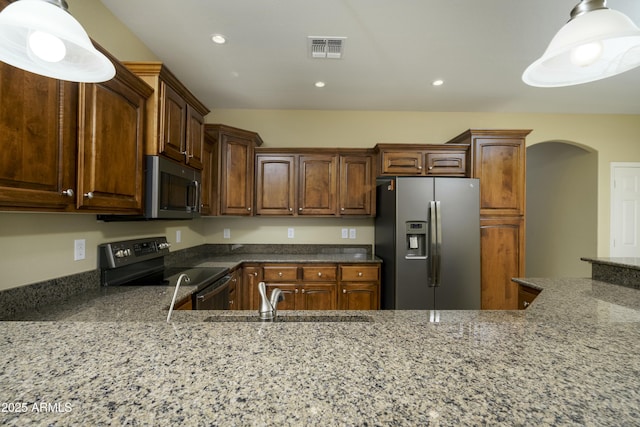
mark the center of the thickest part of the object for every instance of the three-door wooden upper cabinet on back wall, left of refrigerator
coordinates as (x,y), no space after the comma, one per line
(314,182)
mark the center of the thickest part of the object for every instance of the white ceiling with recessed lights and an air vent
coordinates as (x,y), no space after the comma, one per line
(394,50)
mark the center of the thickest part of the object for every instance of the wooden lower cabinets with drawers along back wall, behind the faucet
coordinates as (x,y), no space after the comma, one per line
(316,286)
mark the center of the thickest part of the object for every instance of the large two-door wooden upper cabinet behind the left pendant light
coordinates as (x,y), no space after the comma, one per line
(70,146)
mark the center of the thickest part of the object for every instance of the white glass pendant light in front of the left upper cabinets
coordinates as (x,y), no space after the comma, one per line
(42,37)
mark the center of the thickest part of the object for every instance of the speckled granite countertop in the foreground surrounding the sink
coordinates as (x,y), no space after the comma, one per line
(569,359)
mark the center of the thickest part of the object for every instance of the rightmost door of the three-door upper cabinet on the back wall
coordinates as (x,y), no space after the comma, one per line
(356,185)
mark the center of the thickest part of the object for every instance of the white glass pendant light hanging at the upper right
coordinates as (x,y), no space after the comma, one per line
(596,43)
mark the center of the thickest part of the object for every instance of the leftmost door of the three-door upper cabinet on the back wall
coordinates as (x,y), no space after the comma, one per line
(275,185)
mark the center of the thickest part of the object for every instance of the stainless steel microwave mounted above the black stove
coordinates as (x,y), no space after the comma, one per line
(172,190)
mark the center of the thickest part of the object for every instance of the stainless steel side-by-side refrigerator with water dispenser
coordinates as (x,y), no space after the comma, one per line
(427,232)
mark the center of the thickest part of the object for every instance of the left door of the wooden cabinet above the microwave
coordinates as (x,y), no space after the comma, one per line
(173,117)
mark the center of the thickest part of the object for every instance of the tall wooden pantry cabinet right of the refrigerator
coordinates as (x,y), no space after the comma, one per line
(498,159)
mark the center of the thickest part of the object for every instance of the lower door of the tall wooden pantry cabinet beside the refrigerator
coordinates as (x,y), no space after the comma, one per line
(501,258)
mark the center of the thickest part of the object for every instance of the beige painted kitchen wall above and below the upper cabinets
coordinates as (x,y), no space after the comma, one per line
(37,246)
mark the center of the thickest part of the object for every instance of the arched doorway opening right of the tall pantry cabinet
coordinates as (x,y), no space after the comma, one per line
(562,202)
